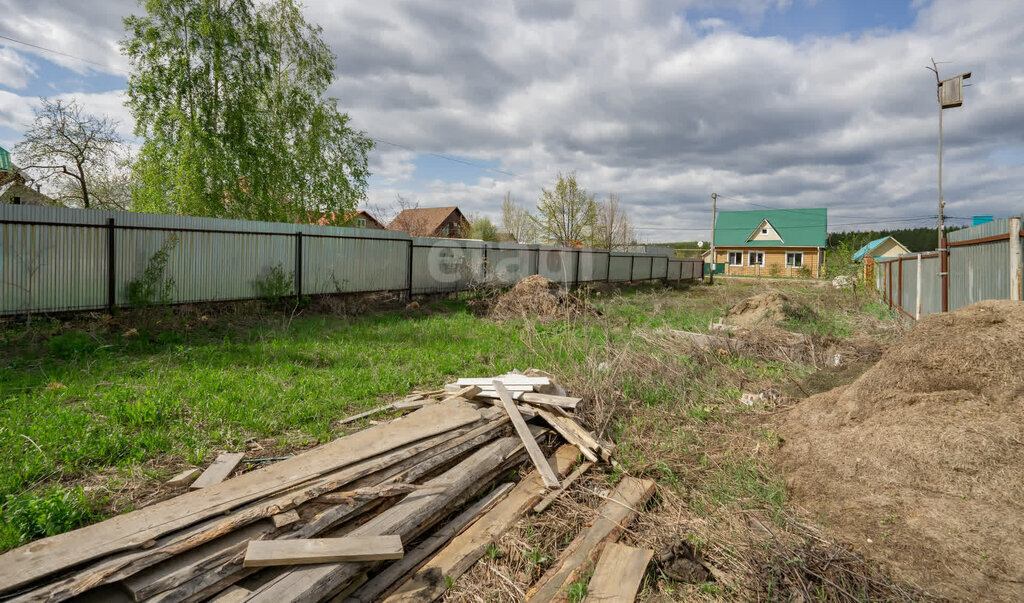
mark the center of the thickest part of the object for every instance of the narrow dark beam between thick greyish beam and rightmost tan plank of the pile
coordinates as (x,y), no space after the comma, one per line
(397,574)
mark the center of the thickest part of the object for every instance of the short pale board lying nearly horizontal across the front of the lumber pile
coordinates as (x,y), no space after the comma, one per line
(309,551)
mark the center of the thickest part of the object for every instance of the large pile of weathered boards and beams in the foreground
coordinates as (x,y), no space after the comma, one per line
(392,512)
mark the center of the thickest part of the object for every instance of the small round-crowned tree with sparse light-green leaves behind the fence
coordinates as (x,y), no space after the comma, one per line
(567,214)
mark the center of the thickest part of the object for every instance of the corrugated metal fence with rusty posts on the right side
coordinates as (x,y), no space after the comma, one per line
(982,263)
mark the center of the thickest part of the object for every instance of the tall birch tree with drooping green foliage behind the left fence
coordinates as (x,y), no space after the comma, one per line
(230,100)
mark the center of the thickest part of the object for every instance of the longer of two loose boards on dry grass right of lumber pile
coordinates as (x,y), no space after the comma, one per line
(614,516)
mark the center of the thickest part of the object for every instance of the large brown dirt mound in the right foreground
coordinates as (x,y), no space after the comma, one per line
(921,461)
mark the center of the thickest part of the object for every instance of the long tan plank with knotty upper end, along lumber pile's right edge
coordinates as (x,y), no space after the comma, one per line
(458,556)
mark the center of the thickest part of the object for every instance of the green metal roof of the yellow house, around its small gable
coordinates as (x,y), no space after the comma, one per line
(804,228)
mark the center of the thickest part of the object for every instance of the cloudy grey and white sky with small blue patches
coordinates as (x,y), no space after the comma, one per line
(781,104)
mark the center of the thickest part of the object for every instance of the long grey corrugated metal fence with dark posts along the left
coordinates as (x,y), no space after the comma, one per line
(58,260)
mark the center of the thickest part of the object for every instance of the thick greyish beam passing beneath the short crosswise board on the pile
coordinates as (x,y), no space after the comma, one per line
(409,519)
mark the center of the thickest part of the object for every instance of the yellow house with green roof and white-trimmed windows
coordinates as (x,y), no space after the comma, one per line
(773,243)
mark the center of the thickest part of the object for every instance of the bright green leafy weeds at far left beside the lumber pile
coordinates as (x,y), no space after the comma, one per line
(28,516)
